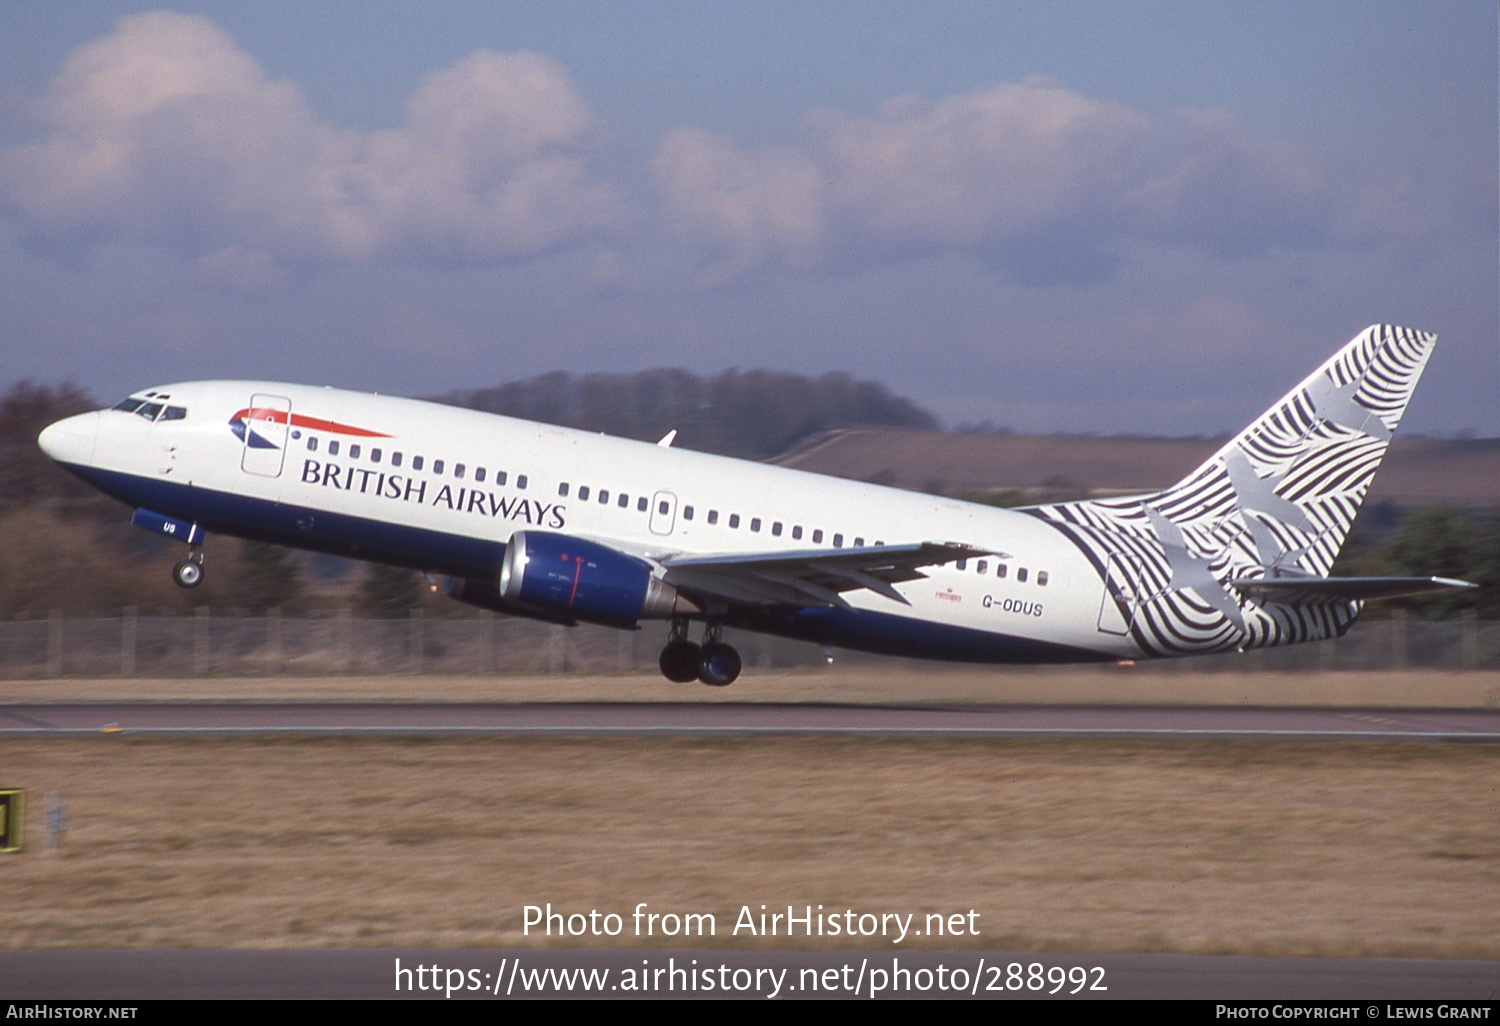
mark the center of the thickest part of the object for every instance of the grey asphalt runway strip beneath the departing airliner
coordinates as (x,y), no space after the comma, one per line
(644,719)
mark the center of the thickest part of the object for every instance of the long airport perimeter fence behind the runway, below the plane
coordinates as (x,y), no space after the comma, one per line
(206,644)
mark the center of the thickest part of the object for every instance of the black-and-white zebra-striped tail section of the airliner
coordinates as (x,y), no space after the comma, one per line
(1277,502)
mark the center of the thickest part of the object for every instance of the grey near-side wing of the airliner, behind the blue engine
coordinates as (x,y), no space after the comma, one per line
(811,577)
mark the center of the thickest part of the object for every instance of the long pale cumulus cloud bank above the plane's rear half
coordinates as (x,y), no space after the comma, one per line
(1039,179)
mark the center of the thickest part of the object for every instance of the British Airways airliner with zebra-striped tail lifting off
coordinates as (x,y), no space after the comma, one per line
(569,527)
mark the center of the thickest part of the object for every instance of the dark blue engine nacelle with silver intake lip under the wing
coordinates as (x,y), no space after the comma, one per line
(557,577)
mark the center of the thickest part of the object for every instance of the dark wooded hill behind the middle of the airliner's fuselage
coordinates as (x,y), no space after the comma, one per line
(754,415)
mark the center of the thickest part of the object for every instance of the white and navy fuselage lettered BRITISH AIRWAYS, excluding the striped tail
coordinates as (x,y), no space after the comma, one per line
(443,490)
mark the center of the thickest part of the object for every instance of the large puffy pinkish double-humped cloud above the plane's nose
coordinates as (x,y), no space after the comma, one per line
(167,133)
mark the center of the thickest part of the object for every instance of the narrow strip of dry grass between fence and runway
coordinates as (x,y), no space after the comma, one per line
(871,682)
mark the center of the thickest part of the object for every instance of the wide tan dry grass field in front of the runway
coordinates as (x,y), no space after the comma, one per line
(1274,848)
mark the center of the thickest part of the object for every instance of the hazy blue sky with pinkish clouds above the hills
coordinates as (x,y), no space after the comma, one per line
(1061,217)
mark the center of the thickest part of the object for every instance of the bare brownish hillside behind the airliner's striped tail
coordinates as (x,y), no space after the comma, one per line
(1417,472)
